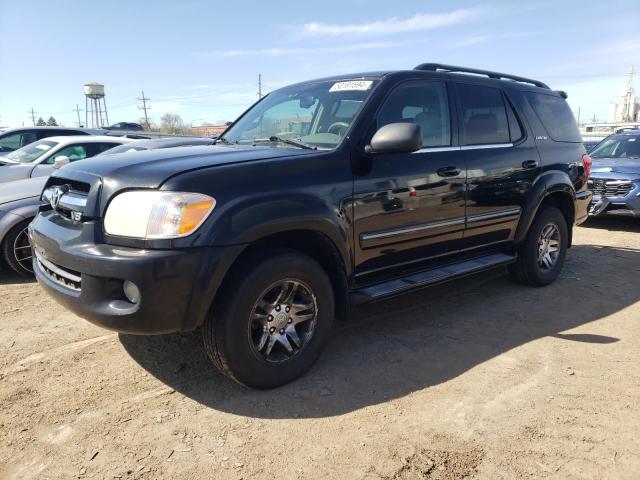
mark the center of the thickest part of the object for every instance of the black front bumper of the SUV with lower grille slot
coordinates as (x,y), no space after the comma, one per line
(176,286)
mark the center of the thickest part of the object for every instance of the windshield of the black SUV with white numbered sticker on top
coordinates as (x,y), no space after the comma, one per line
(315,115)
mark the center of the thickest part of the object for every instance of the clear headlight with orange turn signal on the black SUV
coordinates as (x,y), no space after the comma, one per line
(155,214)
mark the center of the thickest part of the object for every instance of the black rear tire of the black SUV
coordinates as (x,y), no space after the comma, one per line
(532,268)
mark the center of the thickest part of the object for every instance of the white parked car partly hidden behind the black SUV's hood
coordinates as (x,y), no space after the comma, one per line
(40,158)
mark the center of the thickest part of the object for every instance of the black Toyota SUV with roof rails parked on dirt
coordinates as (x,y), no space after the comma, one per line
(322,195)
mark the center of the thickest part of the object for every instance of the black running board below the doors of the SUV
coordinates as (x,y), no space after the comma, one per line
(431,277)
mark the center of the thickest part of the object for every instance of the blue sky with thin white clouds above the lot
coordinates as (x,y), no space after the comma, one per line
(201,59)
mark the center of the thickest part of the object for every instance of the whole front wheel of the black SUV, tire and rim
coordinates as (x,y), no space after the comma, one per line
(234,333)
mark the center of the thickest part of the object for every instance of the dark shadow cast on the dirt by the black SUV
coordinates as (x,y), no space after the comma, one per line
(390,349)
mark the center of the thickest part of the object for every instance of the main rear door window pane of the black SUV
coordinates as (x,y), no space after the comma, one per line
(484,116)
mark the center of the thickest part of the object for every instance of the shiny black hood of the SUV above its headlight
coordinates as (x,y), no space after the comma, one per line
(151,168)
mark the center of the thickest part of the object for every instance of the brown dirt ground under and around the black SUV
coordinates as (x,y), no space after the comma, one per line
(481,378)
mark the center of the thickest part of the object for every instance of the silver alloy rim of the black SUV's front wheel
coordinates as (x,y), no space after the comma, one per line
(283,320)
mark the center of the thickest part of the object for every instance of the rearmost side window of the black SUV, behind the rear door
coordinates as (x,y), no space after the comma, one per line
(556,116)
